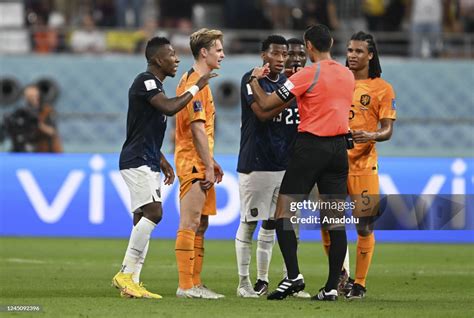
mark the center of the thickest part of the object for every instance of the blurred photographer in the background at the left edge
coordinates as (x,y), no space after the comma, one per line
(32,128)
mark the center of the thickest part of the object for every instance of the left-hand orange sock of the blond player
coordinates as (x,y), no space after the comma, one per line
(184,250)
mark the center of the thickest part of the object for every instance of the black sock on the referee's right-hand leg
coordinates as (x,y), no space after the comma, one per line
(337,252)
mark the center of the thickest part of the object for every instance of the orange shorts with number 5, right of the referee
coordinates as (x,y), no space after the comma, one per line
(365,193)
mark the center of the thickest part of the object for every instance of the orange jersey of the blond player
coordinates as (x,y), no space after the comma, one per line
(201,107)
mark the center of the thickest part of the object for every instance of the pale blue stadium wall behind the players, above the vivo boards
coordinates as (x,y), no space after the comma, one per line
(434,101)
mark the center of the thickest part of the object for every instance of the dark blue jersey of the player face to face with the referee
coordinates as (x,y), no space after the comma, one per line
(265,146)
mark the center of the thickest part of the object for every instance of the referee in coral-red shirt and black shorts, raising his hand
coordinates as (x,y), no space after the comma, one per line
(323,93)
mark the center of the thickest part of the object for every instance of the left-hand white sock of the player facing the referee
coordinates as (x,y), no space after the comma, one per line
(243,250)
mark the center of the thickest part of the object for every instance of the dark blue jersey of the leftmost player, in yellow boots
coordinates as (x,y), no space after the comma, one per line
(145,125)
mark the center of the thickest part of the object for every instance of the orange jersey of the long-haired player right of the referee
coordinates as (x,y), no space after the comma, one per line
(374,99)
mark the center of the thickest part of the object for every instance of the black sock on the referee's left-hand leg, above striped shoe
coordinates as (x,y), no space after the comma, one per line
(288,246)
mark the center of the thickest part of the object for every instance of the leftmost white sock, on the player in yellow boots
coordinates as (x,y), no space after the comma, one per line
(138,240)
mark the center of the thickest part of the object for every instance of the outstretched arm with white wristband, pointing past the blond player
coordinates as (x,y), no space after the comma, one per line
(170,106)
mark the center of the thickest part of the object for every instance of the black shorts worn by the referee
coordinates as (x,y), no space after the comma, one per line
(317,160)
